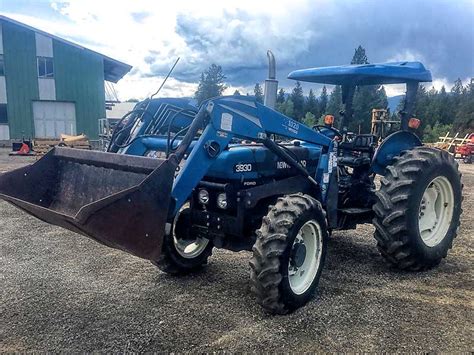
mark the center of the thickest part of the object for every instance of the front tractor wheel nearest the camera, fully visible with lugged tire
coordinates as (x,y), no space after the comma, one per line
(289,254)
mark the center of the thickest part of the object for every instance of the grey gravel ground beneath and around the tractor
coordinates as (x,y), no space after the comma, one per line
(62,292)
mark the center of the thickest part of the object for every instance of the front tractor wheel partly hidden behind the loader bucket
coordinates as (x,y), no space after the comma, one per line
(181,254)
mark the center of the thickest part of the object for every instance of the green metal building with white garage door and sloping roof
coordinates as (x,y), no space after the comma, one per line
(50,86)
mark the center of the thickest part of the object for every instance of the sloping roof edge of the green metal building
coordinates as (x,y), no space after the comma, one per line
(114,70)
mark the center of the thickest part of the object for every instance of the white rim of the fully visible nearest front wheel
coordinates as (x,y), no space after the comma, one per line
(305,257)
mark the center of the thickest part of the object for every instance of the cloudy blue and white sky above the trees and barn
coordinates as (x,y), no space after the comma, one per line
(150,35)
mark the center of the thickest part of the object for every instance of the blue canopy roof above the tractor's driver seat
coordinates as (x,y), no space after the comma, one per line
(364,74)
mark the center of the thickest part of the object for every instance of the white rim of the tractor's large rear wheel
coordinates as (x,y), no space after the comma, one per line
(436,211)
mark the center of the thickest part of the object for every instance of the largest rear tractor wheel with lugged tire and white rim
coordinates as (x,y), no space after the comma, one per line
(418,208)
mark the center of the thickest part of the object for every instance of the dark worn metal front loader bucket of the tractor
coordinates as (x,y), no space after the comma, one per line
(119,200)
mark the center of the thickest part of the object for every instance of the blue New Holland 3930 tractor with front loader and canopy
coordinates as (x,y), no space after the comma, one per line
(179,180)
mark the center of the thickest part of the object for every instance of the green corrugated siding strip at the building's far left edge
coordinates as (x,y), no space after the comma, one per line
(21,78)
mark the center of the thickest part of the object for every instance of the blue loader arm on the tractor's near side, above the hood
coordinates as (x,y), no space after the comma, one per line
(243,117)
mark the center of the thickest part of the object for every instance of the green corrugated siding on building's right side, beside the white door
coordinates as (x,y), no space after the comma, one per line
(80,78)
